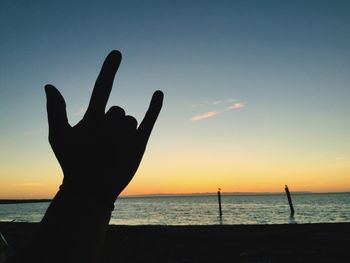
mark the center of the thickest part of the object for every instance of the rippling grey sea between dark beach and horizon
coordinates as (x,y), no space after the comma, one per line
(237,209)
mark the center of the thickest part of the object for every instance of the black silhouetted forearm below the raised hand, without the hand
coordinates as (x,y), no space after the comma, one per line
(72,230)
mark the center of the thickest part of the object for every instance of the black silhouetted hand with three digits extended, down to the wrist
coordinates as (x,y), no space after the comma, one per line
(100,155)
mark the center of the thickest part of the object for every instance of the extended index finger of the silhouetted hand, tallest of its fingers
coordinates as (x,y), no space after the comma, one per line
(103,85)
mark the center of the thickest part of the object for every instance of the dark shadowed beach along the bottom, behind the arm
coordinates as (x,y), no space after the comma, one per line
(226,243)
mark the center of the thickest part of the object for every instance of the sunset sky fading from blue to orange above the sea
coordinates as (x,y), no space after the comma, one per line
(256,92)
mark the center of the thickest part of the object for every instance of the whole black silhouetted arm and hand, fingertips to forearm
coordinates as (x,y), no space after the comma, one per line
(99,156)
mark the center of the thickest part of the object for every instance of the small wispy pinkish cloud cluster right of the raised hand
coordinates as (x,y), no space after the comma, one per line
(233,105)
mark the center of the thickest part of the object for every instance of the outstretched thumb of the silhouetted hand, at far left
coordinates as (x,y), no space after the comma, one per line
(56,110)
